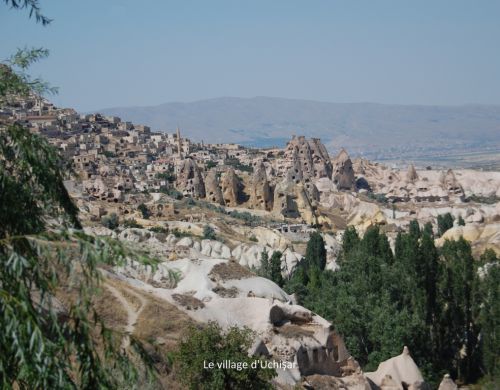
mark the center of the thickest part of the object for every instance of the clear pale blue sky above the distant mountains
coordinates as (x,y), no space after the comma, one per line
(107,53)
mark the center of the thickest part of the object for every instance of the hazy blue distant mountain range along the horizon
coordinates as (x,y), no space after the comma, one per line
(363,128)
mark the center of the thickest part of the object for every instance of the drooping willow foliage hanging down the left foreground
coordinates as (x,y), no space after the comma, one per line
(45,344)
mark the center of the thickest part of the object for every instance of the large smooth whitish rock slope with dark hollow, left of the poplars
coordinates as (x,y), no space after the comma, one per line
(285,332)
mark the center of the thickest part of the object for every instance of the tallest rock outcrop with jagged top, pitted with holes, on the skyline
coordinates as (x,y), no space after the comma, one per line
(309,156)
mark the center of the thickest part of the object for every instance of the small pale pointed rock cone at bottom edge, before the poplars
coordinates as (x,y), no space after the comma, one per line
(398,373)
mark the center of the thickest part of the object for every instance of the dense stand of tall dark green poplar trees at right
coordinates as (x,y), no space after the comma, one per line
(428,299)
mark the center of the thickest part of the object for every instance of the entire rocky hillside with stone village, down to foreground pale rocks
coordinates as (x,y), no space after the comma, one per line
(188,202)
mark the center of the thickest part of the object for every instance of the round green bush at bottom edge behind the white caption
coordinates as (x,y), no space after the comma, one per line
(212,344)
